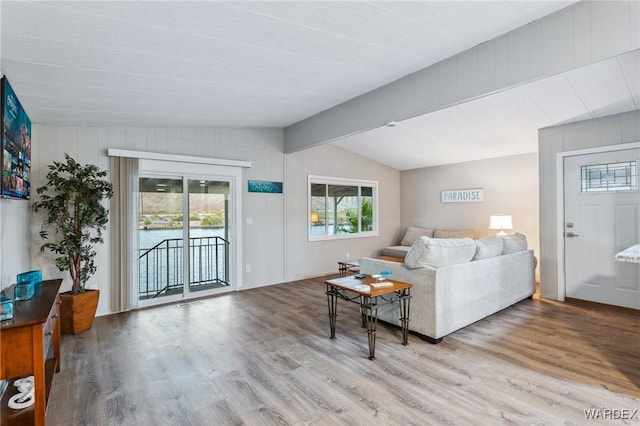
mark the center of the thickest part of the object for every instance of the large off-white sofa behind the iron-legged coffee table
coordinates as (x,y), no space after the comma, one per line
(449,296)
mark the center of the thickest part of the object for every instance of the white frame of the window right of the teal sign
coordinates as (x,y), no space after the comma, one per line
(327,180)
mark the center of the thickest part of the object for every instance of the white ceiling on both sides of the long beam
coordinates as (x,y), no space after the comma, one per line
(272,64)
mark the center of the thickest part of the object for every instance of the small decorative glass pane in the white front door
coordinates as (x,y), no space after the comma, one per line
(609,177)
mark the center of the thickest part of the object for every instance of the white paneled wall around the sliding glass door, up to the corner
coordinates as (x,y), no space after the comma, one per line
(263,241)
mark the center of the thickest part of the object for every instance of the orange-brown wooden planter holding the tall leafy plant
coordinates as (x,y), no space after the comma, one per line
(77,312)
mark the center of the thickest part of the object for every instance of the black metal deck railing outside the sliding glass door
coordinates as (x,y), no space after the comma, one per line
(162,266)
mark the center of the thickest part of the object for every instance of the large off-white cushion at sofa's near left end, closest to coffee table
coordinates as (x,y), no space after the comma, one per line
(438,252)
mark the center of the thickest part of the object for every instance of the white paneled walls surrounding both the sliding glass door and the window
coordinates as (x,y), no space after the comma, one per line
(279,220)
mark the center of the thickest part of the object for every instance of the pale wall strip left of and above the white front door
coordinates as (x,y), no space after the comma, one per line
(613,130)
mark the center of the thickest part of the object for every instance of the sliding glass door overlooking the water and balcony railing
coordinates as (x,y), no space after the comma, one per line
(184,236)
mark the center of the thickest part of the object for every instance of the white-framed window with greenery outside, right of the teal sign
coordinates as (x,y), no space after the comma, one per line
(342,208)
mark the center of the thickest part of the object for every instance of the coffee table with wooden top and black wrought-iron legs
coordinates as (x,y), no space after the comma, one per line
(370,294)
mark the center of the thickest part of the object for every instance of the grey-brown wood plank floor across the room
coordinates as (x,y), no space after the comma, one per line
(263,356)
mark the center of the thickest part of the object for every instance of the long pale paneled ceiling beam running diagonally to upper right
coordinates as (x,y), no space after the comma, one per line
(581,34)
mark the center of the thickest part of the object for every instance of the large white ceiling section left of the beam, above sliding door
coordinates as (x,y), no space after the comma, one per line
(316,54)
